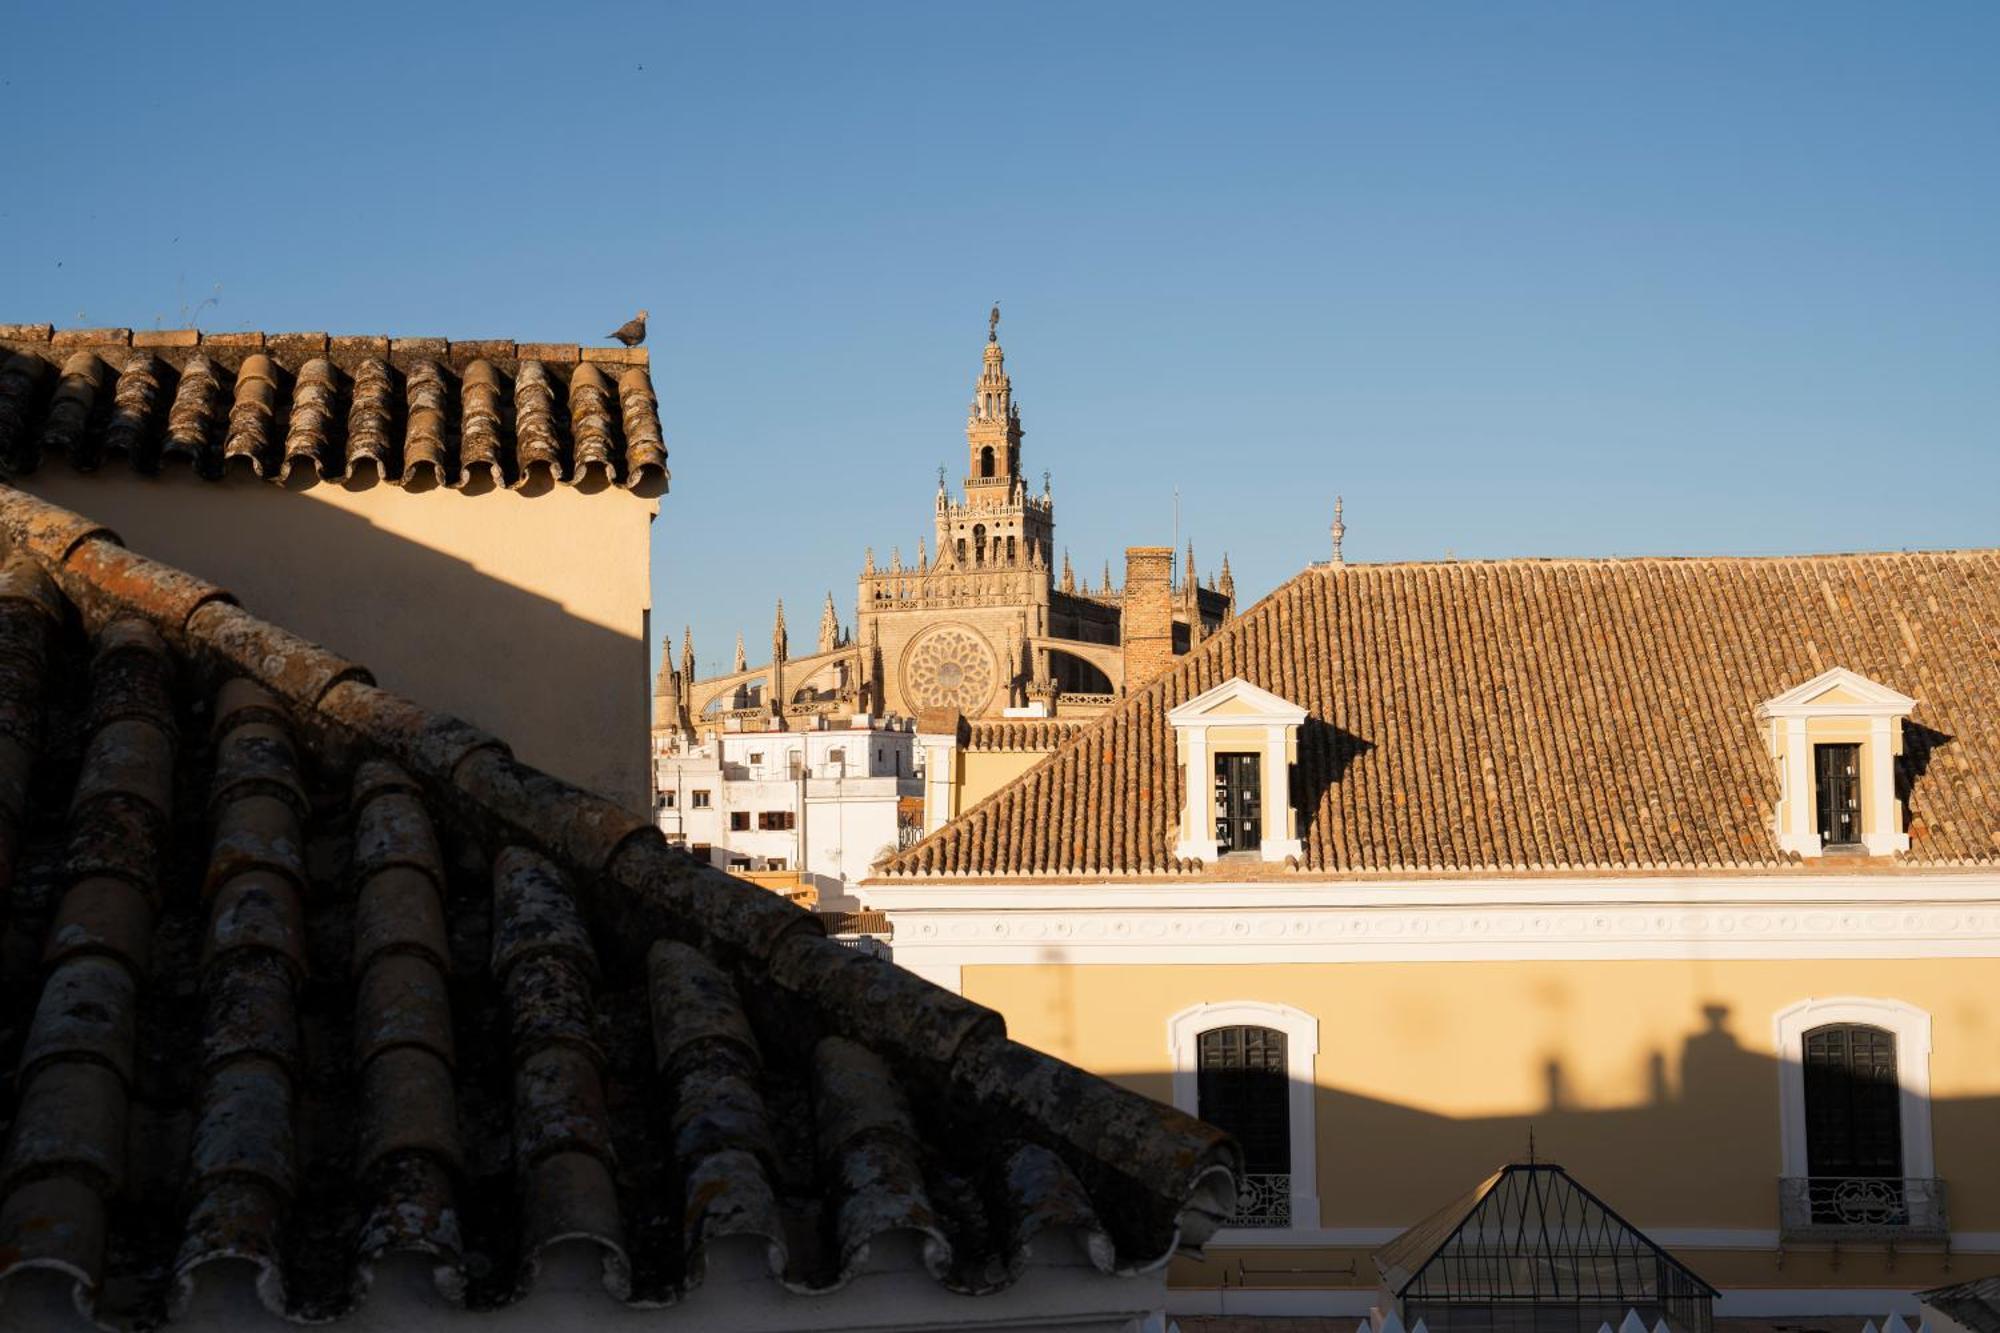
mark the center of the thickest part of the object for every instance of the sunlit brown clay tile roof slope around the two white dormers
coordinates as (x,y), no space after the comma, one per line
(1535,718)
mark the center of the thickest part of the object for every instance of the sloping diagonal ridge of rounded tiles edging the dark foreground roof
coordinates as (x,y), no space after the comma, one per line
(641,892)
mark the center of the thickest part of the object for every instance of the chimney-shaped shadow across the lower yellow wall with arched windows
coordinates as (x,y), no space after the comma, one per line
(1693,1160)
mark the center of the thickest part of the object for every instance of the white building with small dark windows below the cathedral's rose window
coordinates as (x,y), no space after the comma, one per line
(827,804)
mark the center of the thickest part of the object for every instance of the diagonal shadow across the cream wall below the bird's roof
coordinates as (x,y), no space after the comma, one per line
(565,694)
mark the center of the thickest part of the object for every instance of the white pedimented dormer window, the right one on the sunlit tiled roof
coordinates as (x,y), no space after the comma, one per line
(1837,740)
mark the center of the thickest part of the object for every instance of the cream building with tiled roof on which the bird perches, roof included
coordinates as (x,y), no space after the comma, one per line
(421,503)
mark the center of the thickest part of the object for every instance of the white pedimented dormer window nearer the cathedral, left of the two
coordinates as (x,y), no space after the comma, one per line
(1237,750)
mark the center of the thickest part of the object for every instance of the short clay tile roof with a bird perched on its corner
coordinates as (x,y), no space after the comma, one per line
(403,411)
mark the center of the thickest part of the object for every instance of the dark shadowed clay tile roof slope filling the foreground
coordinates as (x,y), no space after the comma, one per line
(299,978)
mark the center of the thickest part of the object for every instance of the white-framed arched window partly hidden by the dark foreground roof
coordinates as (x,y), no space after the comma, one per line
(1247,1068)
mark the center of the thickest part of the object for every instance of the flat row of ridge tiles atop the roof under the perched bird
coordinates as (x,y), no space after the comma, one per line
(319,343)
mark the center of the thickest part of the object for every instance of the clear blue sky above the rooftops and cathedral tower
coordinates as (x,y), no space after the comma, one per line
(1517,279)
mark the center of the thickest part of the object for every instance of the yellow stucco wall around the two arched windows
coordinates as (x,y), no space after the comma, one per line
(1653,1082)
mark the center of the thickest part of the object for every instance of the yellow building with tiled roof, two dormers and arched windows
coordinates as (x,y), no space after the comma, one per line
(1679,874)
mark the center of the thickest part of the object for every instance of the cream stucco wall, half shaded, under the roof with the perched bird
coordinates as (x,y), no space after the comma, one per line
(521,613)
